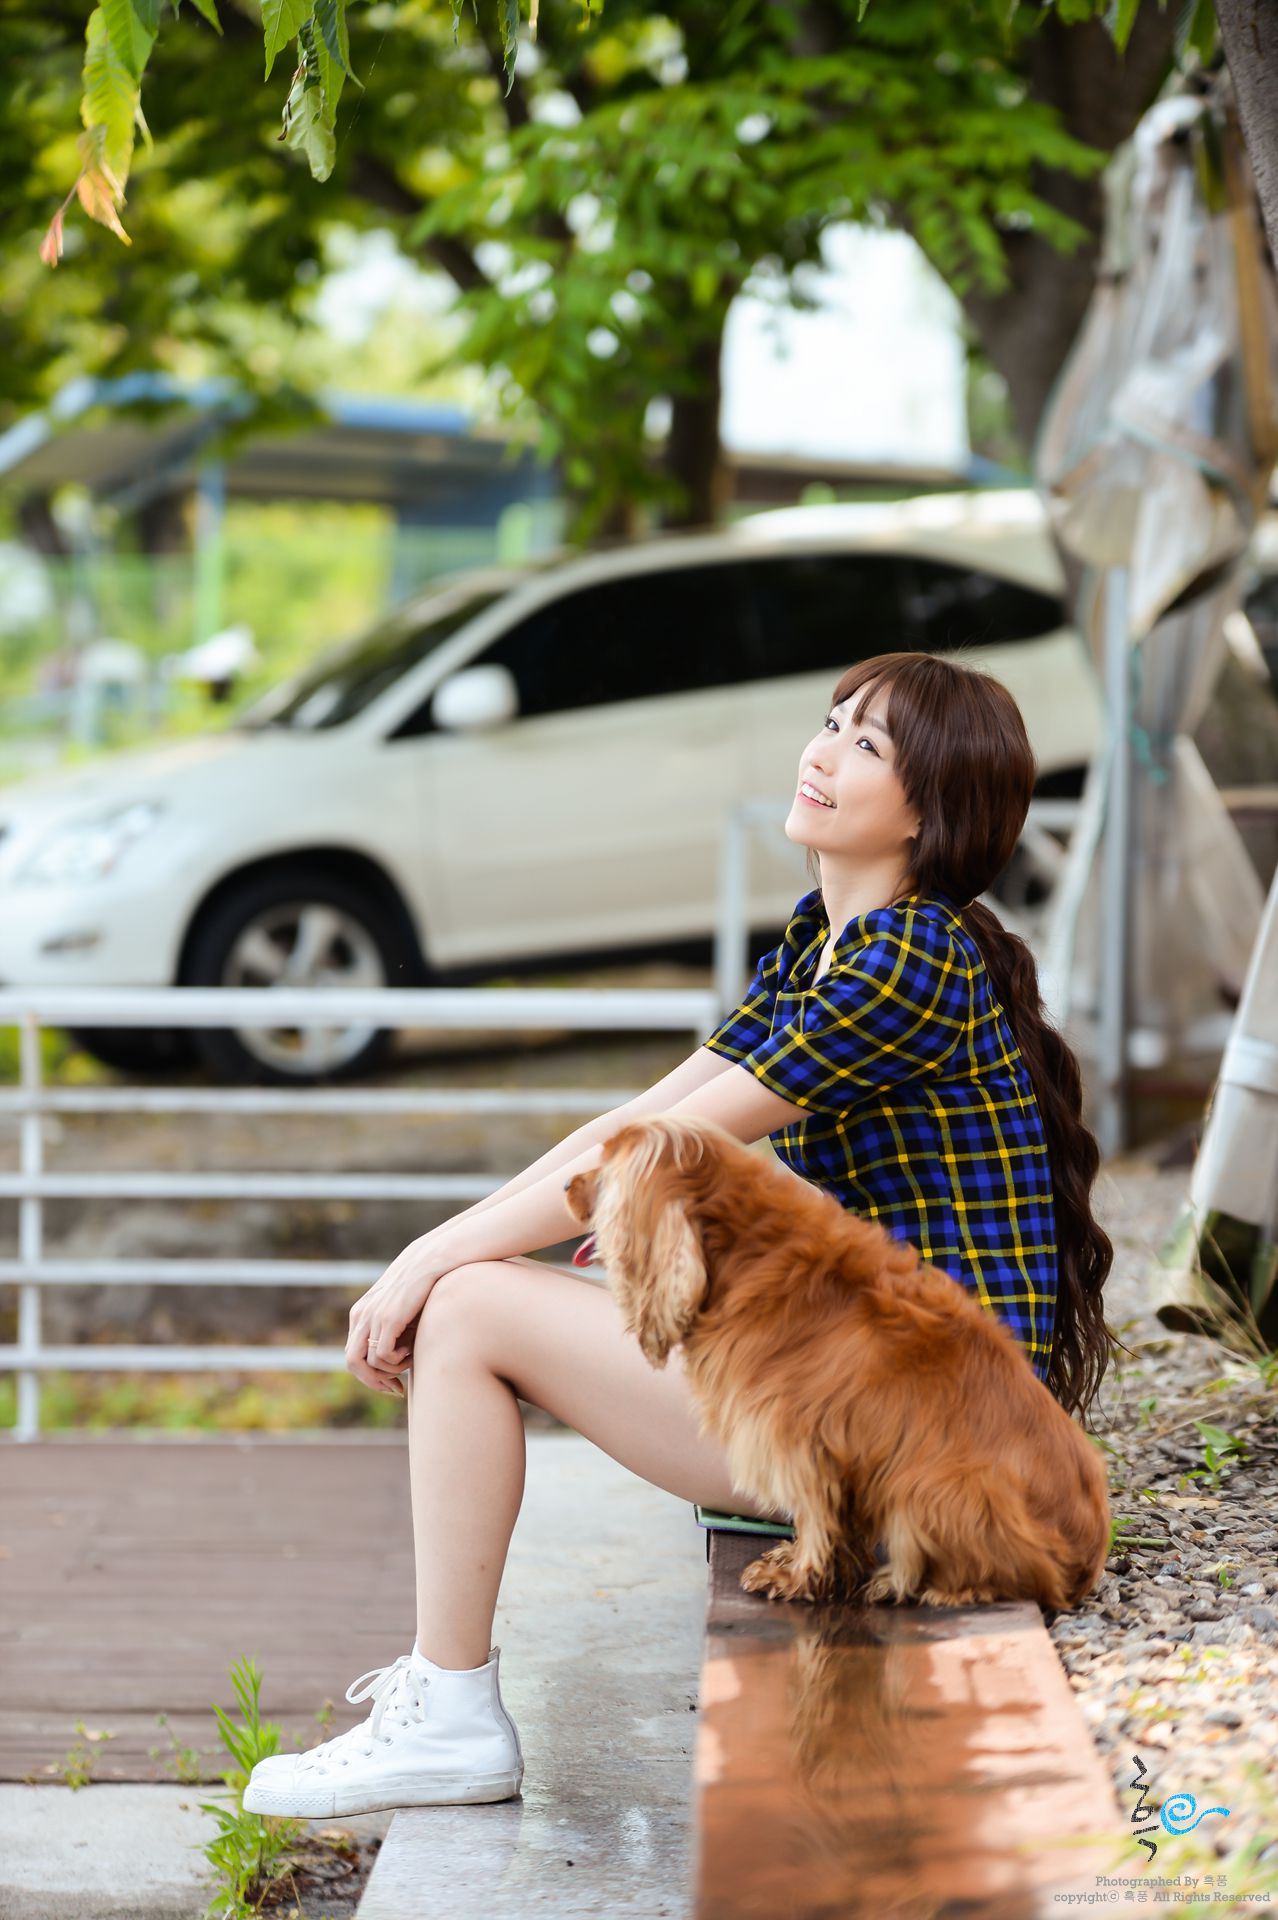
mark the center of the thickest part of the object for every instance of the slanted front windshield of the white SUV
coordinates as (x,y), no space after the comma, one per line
(346,683)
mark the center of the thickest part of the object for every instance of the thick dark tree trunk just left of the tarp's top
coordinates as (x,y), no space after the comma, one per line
(1028,331)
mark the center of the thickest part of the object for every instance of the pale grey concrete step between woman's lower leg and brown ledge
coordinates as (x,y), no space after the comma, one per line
(602,1629)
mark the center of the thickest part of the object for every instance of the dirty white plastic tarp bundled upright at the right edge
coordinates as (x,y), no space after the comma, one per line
(1154,458)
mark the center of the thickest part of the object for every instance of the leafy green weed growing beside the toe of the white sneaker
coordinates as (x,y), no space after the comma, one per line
(250,1852)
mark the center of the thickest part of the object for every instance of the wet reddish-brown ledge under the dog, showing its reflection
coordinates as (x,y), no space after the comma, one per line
(907,1762)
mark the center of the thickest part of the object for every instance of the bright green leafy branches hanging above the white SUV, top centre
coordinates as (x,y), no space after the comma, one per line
(709,160)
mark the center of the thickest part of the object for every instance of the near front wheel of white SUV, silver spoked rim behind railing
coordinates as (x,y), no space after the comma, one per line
(296,928)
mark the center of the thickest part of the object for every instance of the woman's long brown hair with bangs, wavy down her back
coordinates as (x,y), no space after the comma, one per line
(966,765)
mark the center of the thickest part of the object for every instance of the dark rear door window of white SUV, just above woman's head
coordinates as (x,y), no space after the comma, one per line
(822,612)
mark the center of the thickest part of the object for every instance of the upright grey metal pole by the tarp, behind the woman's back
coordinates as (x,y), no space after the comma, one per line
(1114,1015)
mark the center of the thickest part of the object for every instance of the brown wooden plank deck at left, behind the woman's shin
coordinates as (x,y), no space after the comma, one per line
(137,1572)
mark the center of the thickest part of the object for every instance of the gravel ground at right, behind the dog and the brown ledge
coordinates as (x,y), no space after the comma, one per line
(1175,1658)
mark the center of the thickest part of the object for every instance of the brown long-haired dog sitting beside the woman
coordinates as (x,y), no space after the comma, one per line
(853,1383)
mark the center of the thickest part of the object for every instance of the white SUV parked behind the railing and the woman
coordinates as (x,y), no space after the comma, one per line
(519,767)
